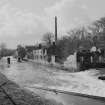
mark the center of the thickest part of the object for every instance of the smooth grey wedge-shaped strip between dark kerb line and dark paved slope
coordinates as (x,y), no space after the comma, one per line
(65,99)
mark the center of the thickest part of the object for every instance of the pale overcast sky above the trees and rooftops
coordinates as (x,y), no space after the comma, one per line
(25,21)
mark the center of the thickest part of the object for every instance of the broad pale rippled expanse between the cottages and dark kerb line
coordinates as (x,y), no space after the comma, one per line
(30,74)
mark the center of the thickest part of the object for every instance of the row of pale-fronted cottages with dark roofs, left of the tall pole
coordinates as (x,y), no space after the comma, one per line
(41,54)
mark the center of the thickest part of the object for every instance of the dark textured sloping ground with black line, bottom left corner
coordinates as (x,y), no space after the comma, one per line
(12,94)
